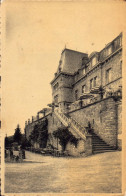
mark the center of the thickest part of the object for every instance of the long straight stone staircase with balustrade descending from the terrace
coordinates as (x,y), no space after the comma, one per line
(98,145)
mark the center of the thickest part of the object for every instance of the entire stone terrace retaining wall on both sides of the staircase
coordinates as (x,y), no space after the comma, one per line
(104,116)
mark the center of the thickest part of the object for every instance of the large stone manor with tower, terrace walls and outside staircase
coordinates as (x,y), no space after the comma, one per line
(87,100)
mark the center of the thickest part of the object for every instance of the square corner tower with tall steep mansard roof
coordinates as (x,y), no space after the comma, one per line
(62,84)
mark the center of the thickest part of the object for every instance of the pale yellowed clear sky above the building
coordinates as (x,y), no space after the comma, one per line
(35,33)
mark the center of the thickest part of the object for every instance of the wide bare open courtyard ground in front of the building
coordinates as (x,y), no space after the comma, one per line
(99,173)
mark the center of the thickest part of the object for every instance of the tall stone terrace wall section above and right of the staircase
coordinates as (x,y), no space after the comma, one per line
(103,118)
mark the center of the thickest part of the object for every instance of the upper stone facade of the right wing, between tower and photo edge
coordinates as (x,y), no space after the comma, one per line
(115,63)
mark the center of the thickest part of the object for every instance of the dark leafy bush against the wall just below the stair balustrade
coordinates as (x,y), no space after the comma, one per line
(64,137)
